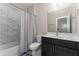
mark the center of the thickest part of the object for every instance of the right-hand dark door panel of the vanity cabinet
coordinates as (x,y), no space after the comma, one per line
(63,51)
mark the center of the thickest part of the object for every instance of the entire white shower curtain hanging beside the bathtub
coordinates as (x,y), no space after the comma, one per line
(28,31)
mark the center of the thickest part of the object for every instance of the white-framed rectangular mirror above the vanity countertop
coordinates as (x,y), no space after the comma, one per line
(63,24)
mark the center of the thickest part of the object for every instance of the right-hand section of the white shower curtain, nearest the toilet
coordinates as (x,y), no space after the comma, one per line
(31,28)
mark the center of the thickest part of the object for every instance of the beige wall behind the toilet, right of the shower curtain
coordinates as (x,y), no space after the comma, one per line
(41,18)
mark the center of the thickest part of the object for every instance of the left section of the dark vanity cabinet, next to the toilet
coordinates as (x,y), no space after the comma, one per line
(47,48)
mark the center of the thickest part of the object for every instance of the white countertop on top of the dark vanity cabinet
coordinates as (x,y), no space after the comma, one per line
(63,36)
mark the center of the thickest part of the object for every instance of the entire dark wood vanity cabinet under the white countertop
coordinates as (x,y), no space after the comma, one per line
(59,47)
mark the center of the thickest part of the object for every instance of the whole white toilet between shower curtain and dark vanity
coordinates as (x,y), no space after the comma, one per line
(36,47)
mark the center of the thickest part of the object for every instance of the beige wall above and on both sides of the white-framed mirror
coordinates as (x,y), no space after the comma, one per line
(72,10)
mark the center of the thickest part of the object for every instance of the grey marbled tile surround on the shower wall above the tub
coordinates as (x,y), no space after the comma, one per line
(9,25)
